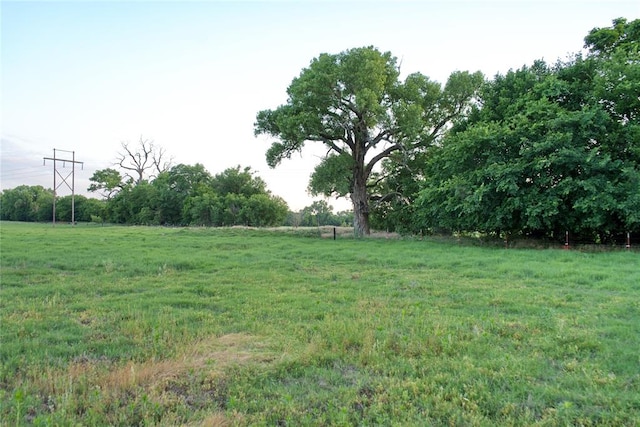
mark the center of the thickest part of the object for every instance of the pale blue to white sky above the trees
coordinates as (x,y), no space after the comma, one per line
(85,76)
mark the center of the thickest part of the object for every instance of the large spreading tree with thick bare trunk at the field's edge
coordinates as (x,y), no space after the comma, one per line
(355,105)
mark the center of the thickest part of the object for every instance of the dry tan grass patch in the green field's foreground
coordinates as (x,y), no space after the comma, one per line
(197,379)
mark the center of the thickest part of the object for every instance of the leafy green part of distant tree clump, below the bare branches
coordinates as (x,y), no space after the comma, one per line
(189,195)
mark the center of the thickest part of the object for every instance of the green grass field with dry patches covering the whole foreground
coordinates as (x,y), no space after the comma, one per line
(187,326)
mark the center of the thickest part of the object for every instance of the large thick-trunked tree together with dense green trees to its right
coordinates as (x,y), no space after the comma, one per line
(534,152)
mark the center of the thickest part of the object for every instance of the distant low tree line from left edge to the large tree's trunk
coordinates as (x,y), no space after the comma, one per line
(180,195)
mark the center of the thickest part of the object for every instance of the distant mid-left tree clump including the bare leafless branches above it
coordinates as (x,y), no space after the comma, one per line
(151,191)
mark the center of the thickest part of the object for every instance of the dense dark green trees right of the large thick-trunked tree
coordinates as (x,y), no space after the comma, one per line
(552,149)
